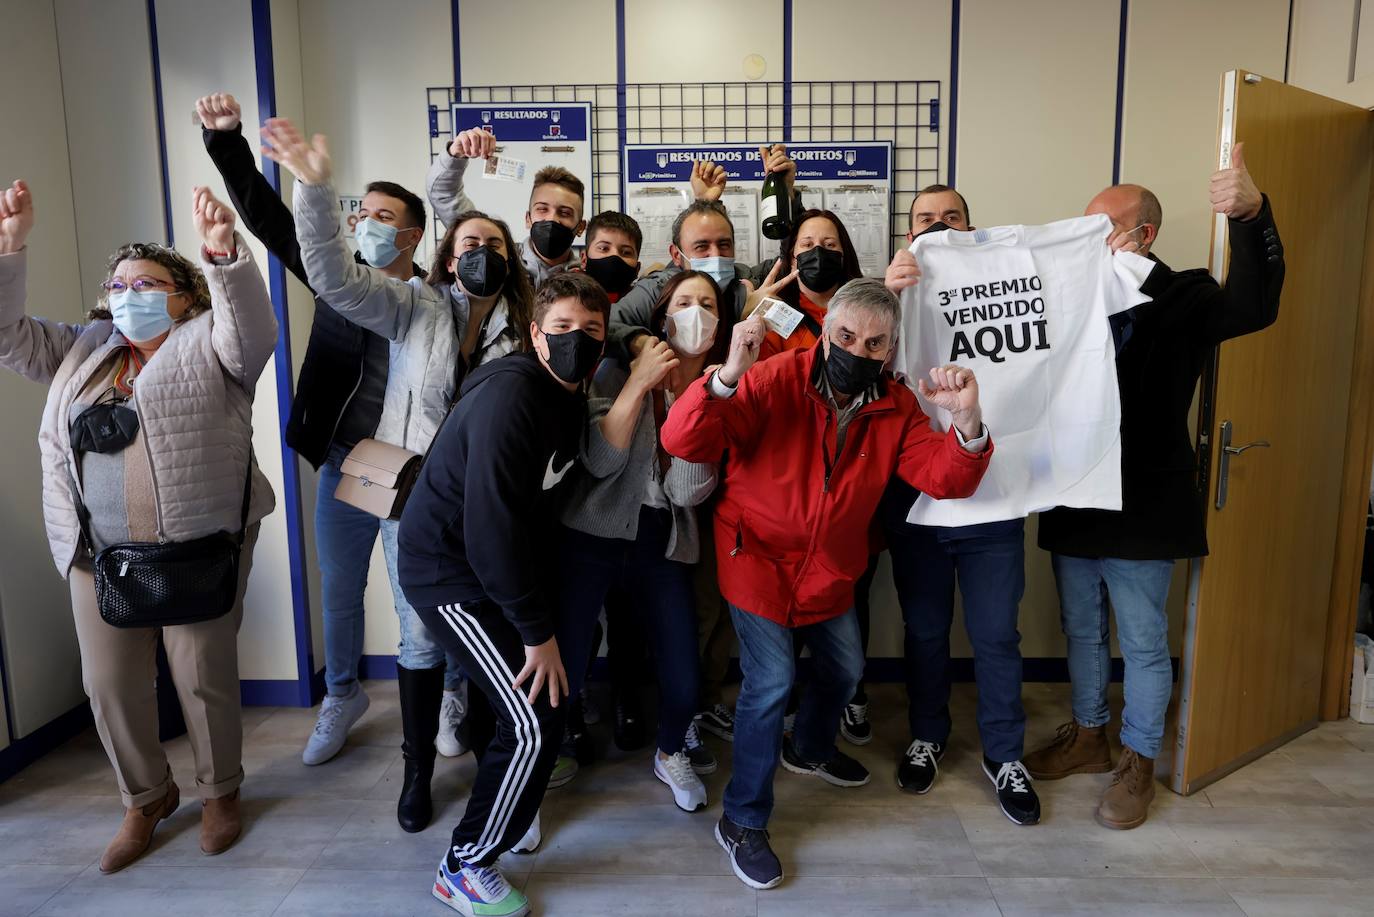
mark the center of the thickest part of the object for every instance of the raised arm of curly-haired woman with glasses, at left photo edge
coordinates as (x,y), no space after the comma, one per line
(34,349)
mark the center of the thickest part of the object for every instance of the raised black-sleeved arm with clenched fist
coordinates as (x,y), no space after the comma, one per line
(259,206)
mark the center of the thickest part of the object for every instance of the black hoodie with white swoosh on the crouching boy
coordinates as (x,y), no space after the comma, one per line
(477,524)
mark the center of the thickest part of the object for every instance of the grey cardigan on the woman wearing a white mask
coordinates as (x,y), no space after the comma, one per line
(611,483)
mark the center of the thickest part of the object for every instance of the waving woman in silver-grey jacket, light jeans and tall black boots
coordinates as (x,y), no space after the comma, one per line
(473,309)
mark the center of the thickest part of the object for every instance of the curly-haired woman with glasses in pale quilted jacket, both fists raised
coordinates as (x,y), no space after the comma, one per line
(146,441)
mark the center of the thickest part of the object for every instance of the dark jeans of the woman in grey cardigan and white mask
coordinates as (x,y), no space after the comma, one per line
(662,595)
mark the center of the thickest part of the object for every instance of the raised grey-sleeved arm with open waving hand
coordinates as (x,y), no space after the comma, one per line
(358,292)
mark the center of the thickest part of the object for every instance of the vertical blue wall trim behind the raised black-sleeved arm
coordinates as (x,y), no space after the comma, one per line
(285,384)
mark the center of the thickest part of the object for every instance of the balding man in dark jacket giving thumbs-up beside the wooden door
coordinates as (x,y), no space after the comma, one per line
(1129,556)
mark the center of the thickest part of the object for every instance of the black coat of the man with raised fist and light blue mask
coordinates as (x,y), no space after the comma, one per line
(336,354)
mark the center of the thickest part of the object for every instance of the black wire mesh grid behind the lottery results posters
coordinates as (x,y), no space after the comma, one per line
(908,113)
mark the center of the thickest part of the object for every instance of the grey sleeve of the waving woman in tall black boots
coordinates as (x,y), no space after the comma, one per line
(358,292)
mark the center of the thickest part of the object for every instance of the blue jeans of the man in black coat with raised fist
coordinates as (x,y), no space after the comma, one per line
(344,538)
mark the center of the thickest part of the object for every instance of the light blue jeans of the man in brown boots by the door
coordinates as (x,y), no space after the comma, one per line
(1138,592)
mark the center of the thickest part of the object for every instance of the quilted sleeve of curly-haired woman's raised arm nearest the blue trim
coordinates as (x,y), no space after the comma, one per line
(244,329)
